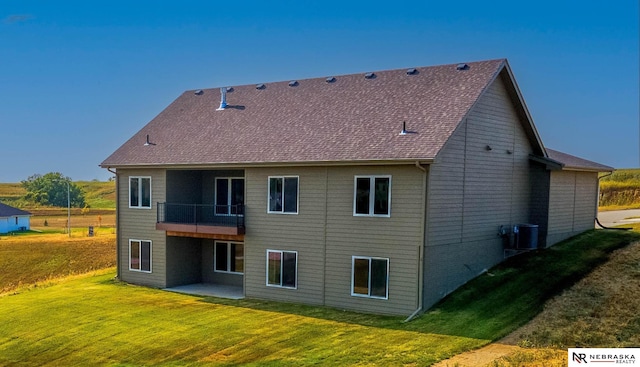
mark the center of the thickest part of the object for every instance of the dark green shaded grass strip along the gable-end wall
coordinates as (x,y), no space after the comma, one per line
(512,293)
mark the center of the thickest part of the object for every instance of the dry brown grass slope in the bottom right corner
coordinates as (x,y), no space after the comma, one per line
(602,310)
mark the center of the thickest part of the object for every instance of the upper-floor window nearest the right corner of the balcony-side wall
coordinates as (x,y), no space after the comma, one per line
(372,196)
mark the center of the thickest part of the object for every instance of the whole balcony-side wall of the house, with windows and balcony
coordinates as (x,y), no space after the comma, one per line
(297,235)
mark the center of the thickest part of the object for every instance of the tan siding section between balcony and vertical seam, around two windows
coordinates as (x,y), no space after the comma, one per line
(302,232)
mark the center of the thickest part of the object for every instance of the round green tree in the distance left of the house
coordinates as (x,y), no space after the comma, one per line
(51,189)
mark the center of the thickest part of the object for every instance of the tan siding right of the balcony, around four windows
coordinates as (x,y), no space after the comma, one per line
(326,235)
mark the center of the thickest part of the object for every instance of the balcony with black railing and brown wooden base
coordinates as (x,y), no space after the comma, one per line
(202,220)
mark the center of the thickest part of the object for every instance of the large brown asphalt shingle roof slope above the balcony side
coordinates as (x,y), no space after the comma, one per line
(351,118)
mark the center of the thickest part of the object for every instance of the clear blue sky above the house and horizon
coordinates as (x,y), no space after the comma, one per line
(78,78)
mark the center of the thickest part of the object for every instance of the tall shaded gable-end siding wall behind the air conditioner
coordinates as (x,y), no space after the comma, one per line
(480,182)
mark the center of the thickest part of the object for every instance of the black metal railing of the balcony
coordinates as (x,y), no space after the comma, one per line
(202,215)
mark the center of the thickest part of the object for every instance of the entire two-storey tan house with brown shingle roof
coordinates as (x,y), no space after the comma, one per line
(378,192)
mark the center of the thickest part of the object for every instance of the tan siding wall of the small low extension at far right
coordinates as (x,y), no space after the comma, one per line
(572,207)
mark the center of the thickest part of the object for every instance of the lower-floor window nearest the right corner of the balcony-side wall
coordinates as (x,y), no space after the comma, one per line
(370,277)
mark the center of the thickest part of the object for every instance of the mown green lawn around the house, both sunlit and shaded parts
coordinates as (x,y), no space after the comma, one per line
(97,320)
